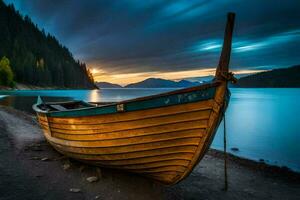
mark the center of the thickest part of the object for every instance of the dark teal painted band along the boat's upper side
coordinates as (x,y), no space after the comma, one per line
(156,102)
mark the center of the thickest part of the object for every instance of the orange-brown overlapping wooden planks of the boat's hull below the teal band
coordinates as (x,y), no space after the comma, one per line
(164,143)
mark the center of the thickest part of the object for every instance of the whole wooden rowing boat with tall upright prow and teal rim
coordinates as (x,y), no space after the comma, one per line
(160,136)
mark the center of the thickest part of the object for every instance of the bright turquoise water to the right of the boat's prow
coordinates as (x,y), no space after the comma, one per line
(263,124)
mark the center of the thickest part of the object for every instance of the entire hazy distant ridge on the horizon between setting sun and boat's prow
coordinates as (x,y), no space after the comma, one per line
(152,83)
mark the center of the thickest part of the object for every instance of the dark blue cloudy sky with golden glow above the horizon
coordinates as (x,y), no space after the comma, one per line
(173,38)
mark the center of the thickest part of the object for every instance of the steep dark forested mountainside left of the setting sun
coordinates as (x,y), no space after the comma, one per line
(37,58)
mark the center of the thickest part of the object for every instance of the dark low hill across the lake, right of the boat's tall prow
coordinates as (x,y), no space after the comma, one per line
(277,78)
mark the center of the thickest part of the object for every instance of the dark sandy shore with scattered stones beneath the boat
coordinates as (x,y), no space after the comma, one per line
(31,169)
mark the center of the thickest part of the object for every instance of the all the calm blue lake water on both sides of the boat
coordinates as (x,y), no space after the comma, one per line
(261,123)
